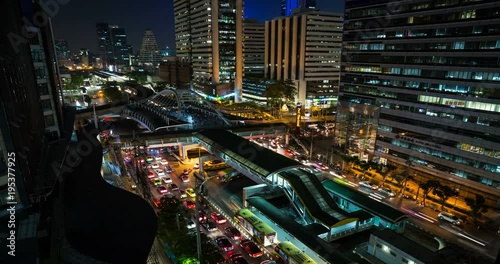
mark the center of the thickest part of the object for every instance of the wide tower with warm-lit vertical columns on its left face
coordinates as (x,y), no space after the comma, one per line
(305,48)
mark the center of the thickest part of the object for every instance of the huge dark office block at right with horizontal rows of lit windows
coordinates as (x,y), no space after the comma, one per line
(422,86)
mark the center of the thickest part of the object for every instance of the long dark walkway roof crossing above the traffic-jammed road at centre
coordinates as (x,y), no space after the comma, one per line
(261,161)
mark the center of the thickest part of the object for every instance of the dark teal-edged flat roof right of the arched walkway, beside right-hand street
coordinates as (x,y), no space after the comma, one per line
(373,207)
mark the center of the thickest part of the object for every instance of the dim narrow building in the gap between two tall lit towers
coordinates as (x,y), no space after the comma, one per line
(253,48)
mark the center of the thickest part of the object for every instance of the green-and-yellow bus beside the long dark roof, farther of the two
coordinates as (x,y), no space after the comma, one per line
(263,233)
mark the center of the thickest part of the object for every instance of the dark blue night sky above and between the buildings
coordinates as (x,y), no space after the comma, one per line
(75,21)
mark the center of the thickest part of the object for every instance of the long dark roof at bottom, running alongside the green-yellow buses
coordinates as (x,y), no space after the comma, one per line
(301,233)
